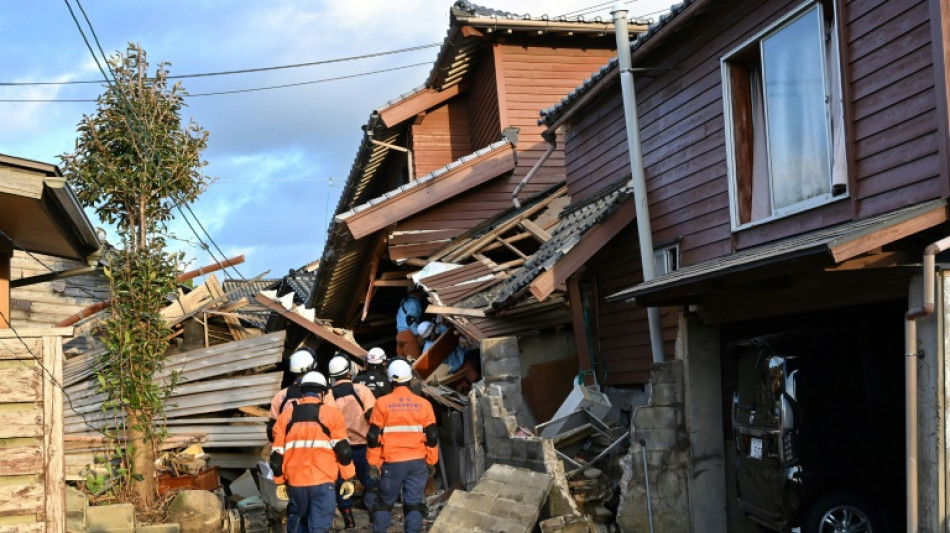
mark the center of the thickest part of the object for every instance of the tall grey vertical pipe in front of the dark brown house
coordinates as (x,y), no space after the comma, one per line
(637,176)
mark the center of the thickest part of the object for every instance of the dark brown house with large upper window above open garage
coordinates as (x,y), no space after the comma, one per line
(796,164)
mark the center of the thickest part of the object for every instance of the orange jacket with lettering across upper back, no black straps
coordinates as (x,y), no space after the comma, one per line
(403,417)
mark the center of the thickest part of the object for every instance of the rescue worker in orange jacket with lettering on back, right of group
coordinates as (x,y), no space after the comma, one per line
(403,450)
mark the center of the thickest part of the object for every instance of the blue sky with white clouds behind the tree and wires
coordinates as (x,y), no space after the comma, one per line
(280,156)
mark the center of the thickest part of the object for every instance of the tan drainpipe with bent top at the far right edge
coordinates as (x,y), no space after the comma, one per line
(910,377)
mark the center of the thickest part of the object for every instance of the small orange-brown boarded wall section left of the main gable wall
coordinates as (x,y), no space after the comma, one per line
(442,136)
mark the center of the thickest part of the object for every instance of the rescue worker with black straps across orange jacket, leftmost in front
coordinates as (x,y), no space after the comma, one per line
(310,453)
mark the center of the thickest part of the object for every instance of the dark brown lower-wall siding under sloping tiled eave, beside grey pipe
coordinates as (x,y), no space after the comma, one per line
(622,333)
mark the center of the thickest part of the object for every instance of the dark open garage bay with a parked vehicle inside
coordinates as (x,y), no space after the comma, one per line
(818,426)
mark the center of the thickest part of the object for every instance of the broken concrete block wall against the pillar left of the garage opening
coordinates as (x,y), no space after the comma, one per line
(661,426)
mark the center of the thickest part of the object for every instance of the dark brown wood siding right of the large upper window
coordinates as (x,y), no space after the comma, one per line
(895,140)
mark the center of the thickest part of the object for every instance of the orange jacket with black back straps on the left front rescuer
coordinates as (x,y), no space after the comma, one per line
(308,453)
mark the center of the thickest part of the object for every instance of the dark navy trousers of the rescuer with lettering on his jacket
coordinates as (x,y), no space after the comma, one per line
(407,478)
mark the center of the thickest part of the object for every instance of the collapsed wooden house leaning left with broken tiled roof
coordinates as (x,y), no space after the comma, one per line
(442,165)
